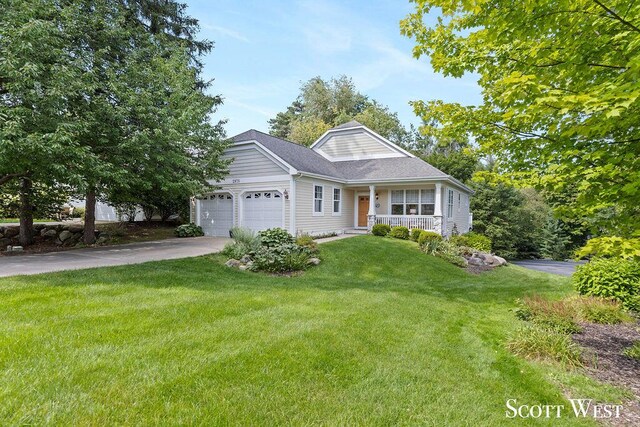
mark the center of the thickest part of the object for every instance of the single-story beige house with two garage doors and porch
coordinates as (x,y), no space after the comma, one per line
(350,179)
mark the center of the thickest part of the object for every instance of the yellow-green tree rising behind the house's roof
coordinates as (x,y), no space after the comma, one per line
(322,105)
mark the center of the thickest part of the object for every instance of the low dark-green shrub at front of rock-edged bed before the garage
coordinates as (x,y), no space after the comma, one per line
(279,259)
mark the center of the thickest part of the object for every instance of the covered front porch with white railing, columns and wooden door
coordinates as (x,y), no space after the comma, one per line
(416,205)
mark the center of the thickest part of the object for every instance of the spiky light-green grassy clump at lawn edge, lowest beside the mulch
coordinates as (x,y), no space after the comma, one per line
(533,342)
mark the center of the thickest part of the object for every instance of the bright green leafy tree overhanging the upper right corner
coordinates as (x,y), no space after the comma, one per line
(560,88)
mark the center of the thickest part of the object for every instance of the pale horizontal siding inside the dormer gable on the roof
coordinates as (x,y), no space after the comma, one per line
(356,144)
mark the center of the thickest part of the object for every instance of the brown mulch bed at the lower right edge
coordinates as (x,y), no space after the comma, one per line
(603,346)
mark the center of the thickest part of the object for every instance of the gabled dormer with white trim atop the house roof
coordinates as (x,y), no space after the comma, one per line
(354,141)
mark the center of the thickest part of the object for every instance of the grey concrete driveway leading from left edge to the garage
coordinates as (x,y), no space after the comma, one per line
(133,253)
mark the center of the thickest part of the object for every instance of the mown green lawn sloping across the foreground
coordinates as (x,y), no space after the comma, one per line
(378,334)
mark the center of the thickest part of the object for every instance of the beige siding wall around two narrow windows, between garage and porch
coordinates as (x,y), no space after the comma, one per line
(306,222)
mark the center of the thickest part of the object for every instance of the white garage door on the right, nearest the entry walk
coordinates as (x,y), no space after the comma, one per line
(262,210)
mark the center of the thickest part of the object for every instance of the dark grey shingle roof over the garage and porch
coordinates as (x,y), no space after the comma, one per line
(307,160)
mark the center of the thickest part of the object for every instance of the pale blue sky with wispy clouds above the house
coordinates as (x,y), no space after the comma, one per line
(264,50)
